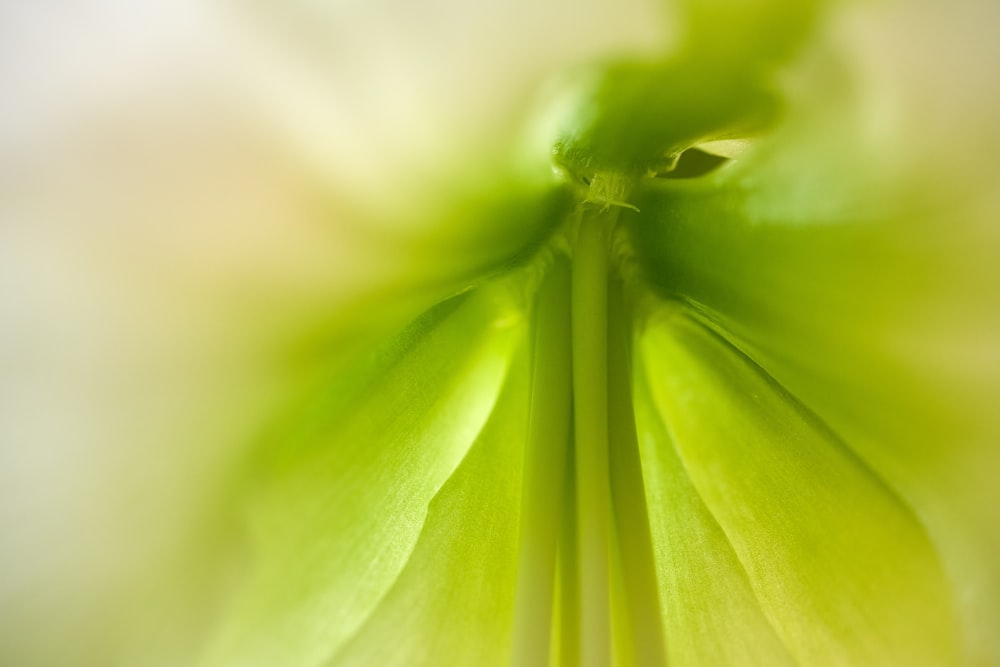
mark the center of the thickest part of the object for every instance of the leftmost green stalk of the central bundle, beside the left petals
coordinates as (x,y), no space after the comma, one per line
(544,469)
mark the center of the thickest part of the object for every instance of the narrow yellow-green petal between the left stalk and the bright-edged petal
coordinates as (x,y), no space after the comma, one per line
(454,601)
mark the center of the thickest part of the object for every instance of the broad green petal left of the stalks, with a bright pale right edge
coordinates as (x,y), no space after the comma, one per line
(333,506)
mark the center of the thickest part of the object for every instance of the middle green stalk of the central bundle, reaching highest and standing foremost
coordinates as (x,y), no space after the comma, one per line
(590,404)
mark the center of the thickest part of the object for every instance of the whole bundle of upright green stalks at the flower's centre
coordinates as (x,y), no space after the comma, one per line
(584,506)
